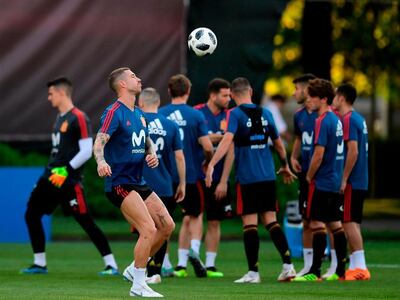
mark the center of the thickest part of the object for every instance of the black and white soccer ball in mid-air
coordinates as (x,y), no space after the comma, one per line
(202,41)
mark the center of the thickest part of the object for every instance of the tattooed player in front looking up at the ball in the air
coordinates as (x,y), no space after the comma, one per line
(121,149)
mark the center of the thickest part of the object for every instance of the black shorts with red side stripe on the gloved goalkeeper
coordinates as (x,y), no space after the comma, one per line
(45,198)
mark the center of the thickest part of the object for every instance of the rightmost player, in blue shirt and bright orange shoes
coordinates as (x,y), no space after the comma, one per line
(355,177)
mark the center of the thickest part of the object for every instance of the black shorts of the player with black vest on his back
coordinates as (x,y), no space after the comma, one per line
(256,197)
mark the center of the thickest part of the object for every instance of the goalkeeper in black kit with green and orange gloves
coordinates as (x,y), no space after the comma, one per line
(61,182)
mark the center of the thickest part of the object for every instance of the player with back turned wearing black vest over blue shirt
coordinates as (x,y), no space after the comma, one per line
(250,127)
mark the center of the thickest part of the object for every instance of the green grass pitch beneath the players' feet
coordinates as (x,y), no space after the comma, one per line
(73,267)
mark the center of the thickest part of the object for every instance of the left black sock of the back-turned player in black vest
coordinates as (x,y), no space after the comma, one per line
(251,246)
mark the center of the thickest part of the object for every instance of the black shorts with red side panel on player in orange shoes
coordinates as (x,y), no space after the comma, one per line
(353,204)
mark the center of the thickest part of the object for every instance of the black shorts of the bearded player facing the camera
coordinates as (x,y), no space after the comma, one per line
(215,209)
